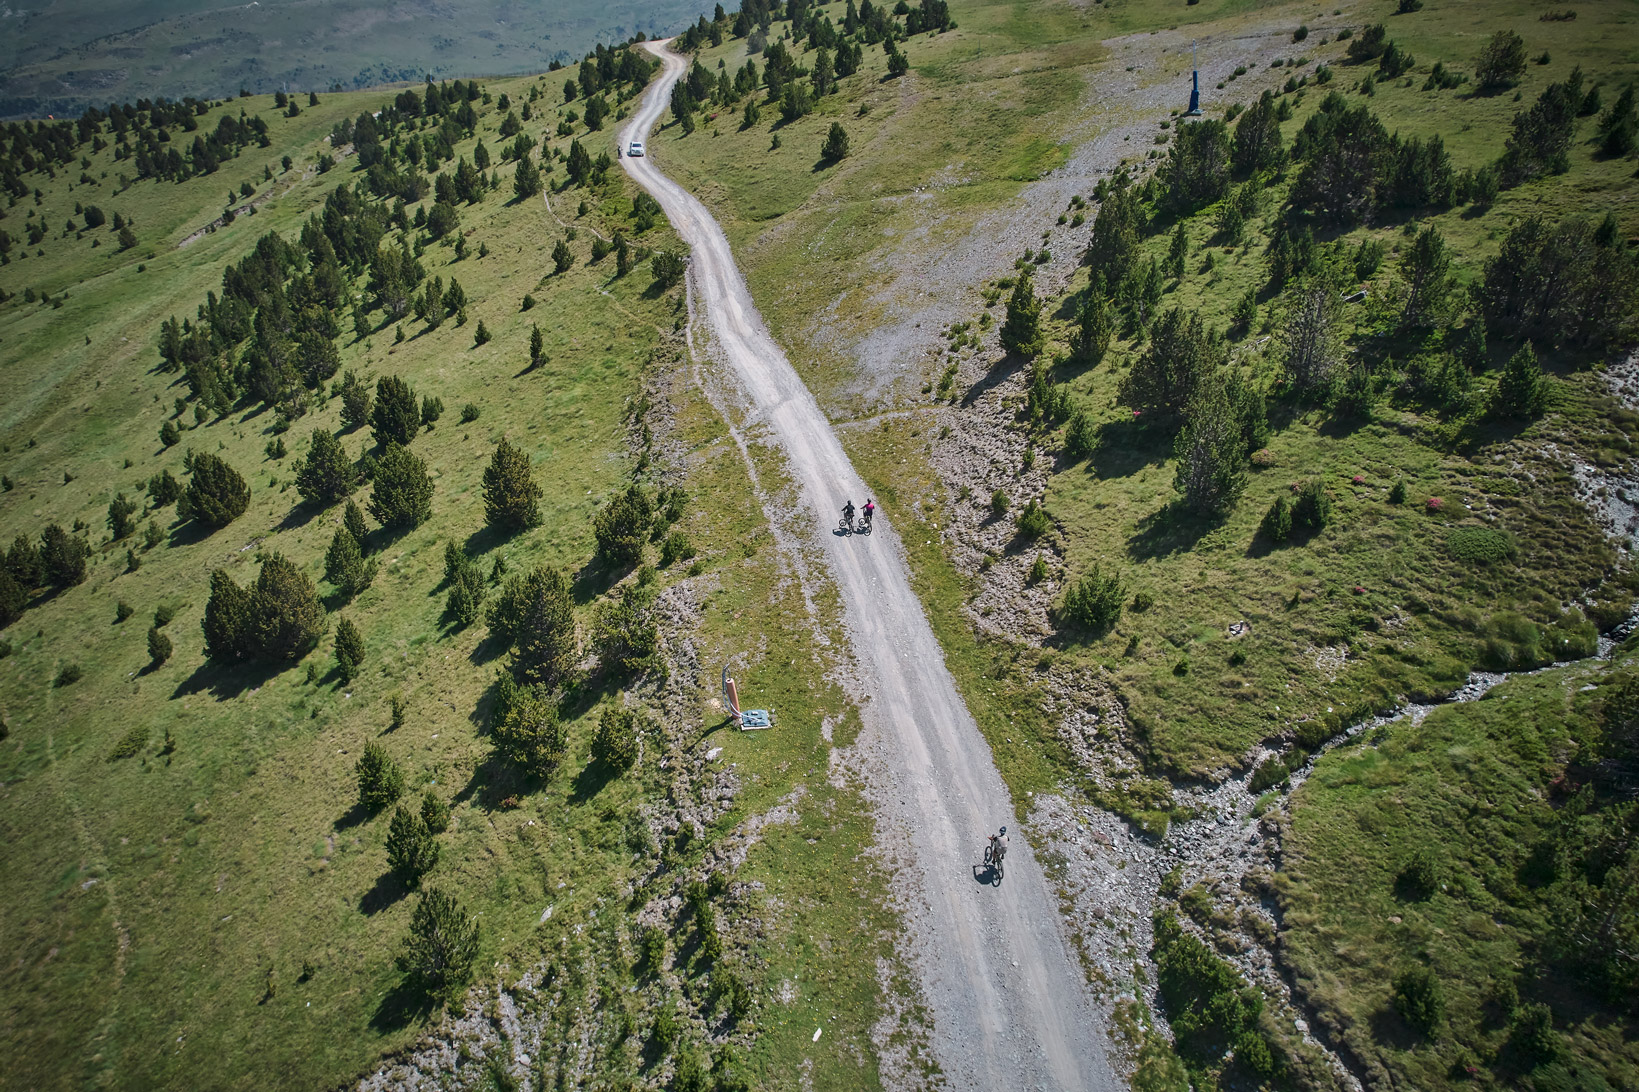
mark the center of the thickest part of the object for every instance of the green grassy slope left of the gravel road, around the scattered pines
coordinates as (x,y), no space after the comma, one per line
(161,909)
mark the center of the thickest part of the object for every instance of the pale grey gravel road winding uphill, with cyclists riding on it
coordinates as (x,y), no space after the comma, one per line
(1009,1001)
